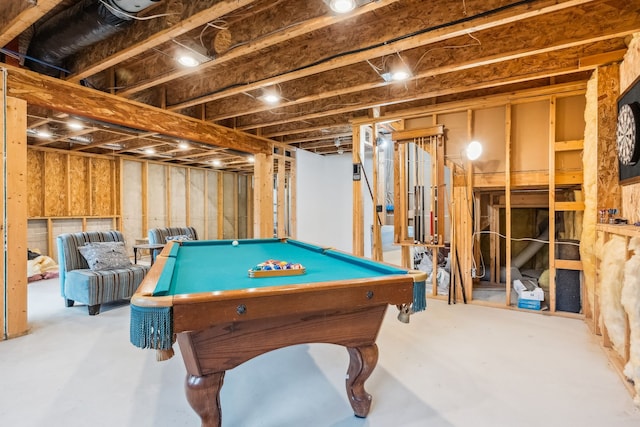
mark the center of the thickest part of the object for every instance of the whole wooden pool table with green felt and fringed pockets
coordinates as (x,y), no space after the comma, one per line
(201,293)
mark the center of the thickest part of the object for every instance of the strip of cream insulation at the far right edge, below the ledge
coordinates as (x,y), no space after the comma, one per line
(631,302)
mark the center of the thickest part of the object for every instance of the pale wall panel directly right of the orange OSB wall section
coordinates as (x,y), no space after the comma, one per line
(132,201)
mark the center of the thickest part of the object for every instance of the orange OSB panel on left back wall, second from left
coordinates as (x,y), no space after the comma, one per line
(55,184)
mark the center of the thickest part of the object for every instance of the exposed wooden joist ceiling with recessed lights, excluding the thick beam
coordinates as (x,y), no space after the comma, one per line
(328,68)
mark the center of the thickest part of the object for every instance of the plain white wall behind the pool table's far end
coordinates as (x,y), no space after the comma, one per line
(324,199)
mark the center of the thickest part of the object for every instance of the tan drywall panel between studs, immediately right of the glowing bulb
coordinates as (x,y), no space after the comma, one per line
(530,136)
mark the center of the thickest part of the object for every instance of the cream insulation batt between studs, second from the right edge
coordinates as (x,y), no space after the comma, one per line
(612,270)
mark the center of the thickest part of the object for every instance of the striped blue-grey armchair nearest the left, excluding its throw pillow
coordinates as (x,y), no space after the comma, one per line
(94,287)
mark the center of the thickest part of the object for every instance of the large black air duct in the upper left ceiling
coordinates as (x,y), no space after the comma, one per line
(76,28)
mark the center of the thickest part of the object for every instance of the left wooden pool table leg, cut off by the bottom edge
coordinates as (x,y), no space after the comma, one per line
(203,394)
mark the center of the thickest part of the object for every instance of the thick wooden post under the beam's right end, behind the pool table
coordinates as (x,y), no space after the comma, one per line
(263,195)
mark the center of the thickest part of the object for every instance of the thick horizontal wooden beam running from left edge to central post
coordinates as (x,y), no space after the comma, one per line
(73,99)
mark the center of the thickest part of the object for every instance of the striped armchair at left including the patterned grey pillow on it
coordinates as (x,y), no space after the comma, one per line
(102,273)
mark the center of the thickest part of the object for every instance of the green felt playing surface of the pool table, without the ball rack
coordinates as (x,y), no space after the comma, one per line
(218,265)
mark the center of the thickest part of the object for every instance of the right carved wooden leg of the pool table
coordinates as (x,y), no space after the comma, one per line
(362,361)
